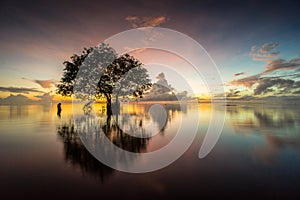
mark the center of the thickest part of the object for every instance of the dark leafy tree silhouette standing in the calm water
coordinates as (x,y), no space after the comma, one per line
(103,74)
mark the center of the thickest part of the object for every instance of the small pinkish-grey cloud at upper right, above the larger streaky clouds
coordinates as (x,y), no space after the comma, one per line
(264,52)
